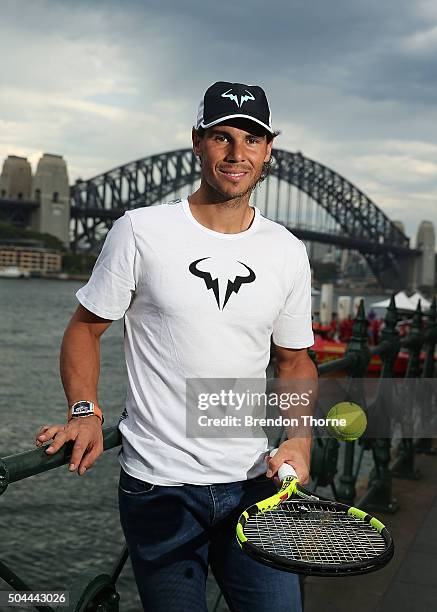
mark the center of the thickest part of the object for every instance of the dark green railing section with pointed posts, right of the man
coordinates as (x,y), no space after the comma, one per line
(378,495)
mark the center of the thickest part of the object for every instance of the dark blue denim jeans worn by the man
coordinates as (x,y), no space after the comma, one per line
(174,533)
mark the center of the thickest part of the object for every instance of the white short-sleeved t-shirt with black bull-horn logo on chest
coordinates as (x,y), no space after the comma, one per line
(196,304)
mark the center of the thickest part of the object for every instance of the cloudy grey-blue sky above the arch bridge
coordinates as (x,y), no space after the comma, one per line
(351,83)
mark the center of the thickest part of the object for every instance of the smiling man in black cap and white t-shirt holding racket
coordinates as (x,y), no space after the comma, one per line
(202,284)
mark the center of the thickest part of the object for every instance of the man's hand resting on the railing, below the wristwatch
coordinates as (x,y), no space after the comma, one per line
(88,440)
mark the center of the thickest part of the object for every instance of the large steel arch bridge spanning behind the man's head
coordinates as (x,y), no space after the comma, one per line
(317,204)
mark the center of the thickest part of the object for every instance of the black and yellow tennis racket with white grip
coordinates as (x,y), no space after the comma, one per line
(307,535)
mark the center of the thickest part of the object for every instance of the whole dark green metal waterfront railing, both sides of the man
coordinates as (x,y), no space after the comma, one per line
(98,593)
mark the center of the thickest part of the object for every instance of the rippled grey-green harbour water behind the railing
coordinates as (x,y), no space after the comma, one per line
(56,526)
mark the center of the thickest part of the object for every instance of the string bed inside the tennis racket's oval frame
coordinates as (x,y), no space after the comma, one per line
(302,532)
